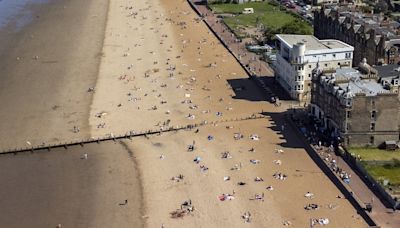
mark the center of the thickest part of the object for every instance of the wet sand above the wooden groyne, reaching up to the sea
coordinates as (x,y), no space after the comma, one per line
(42,98)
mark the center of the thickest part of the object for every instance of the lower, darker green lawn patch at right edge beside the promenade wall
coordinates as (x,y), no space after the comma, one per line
(380,173)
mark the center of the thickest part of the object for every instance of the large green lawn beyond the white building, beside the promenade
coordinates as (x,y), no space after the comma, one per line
(267,14)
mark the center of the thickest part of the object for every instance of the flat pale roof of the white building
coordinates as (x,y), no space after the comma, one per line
(311,42)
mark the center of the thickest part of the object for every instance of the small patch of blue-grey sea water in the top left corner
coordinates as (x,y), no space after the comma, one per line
(17,12)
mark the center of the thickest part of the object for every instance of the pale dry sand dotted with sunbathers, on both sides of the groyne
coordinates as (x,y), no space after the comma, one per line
(157,35)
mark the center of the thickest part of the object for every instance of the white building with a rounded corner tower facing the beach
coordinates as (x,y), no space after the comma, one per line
(298,55)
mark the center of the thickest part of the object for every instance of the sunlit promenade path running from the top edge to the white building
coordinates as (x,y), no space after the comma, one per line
(248,59)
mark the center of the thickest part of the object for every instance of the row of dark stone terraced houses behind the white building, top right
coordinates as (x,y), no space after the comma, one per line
(374,37)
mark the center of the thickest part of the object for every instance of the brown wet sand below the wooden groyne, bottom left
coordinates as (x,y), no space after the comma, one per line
(54,187)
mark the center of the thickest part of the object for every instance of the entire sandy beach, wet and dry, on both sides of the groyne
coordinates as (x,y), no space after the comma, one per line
(152,65)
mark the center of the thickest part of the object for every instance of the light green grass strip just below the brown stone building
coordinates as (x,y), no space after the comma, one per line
(374,154)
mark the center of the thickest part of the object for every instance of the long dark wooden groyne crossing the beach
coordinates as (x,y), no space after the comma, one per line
(128,135)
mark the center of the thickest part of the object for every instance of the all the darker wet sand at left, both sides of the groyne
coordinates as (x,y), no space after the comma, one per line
(41,99)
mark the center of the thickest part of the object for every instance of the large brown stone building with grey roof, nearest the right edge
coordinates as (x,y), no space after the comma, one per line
(355,107)
